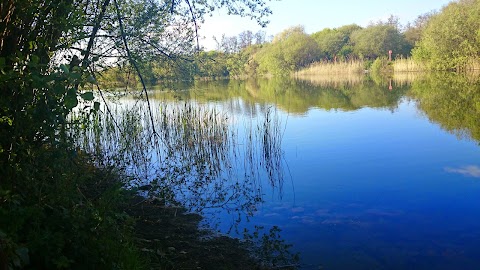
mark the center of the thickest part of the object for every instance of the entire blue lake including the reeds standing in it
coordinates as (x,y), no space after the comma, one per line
(359,173)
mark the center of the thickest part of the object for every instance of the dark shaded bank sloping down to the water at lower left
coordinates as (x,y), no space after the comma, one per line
(79,215)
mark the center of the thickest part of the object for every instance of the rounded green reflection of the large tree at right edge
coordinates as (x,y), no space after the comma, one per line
(452,100)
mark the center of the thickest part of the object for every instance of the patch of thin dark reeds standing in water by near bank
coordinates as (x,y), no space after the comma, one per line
(196,159)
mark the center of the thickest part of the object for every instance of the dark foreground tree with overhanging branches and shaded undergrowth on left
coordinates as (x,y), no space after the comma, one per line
(61,205)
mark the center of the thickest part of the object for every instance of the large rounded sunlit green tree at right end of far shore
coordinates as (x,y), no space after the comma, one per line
(451,39)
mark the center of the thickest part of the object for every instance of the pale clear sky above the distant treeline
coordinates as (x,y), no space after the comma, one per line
(316,15)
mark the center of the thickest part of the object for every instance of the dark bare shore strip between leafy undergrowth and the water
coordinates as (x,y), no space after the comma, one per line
(172,240)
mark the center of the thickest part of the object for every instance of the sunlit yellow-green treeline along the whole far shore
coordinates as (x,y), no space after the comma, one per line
(444,40)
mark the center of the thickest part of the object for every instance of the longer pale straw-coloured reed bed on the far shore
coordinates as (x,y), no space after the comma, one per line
(337,68)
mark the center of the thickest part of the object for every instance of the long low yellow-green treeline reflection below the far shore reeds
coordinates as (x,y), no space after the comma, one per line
(298,96)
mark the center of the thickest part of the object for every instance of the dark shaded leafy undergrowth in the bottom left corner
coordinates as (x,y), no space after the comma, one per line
(66,215)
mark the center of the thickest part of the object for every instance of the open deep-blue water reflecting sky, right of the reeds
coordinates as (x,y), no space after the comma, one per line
(375,189)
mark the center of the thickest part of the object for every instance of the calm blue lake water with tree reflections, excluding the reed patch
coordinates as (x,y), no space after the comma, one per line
(373,178)
